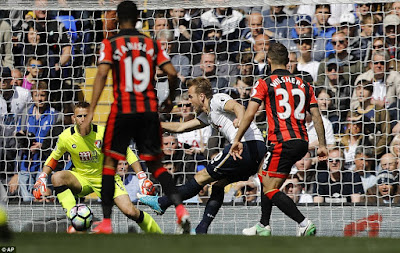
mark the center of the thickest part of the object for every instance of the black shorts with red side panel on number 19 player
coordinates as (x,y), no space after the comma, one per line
(143,128)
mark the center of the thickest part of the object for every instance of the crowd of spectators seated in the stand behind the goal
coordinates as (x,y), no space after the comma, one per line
(349,53)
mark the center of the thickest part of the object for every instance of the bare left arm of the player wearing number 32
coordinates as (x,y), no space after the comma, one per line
(237,148)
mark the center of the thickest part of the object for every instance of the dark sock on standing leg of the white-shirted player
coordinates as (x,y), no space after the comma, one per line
(211,210)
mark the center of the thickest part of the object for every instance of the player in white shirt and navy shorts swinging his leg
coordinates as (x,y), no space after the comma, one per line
(224,114)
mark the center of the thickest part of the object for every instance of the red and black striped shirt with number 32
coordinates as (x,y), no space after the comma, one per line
(287,98)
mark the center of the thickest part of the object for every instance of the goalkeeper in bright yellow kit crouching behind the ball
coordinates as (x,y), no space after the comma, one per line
(86,174)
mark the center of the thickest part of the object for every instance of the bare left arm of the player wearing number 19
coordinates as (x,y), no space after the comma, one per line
(98,86)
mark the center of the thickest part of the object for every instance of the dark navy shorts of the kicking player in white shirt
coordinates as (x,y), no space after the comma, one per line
(223,166)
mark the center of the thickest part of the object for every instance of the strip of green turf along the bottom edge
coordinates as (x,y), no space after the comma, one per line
(138,243)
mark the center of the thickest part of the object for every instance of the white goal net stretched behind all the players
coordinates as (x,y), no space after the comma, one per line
(348,51)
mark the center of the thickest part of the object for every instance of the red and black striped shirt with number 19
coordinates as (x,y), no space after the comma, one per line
(133,57)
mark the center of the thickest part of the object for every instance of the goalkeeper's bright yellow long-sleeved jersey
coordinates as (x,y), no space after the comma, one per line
(85,151)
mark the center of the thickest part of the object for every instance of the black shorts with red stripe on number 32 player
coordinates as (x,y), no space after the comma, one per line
(280,157)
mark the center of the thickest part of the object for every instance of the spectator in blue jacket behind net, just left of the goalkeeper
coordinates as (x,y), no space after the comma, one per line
(32,130)
